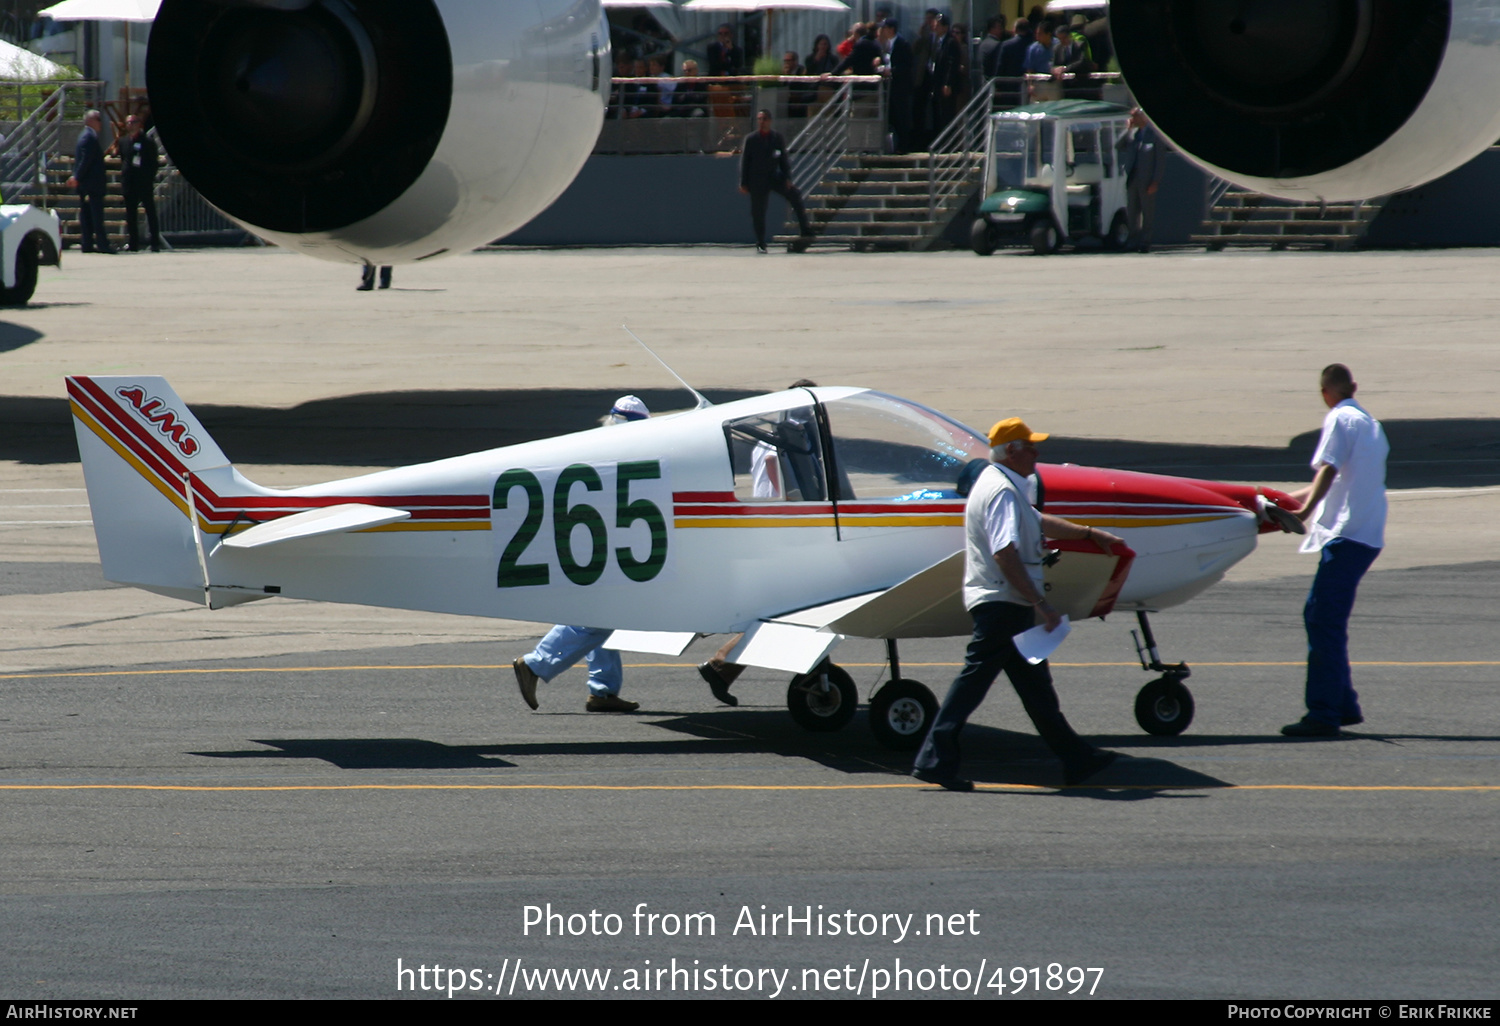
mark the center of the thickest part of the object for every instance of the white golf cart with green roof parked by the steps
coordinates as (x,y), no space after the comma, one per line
(1052,176)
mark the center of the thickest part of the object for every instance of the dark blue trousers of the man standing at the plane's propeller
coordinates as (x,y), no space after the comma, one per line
(1330,688)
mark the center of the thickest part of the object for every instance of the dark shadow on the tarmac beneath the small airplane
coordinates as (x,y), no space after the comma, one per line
(994,757)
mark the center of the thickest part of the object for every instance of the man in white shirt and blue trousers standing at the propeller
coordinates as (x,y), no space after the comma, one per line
(1345,509)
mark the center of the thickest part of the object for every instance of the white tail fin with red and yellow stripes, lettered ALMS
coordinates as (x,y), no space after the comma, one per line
(143,454)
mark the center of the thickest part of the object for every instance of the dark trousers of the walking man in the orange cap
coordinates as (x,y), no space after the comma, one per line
(991,652)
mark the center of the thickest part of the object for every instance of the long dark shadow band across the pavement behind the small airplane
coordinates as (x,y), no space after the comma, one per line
(400,428)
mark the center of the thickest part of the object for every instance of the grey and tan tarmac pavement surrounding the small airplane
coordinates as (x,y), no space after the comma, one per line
(284,799)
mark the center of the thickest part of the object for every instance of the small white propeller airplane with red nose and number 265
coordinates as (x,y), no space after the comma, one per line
(800,518)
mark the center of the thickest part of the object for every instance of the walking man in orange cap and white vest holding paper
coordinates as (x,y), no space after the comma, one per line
(1003,590)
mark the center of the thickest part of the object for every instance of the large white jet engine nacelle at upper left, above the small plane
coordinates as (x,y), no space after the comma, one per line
(380,131)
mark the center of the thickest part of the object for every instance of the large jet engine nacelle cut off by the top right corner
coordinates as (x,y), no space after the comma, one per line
(1316,100)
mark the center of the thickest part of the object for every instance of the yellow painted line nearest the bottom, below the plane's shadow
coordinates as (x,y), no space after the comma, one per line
(761,788)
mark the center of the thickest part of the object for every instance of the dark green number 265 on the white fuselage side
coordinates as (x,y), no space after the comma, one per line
(568,515)
